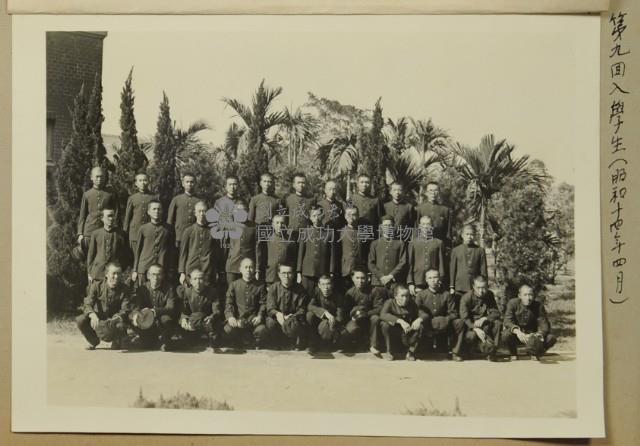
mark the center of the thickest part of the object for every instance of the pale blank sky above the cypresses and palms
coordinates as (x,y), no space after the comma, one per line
(517,83)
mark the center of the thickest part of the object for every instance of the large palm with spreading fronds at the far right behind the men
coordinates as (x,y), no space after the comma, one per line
(485,170)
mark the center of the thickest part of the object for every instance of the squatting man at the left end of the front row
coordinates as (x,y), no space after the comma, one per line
(106,309)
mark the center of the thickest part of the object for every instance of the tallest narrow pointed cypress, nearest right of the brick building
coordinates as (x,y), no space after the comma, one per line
(130,159)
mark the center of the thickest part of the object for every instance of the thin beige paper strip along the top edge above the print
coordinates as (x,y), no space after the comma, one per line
(307,6)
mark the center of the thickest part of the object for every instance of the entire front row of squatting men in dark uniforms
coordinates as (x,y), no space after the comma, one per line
(388,320)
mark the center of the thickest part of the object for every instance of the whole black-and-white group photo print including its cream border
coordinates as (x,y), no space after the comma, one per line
(308,225)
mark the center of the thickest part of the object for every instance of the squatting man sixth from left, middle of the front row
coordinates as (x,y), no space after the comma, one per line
(325,316)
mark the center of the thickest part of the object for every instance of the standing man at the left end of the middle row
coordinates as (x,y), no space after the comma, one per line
(106,245)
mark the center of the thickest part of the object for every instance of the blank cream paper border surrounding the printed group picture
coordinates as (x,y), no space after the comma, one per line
(30,409)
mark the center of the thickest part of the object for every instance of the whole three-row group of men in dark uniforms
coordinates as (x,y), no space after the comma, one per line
(297,272)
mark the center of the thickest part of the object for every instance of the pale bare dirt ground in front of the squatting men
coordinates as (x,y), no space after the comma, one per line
(296,381)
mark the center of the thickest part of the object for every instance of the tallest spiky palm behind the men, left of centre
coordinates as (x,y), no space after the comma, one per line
(258,119)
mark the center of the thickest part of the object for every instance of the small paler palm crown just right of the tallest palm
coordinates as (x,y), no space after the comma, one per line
(299,131)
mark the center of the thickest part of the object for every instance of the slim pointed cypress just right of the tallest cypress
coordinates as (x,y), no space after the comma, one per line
(164,155)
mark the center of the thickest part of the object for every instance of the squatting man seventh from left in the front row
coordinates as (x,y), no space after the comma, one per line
(363,305)
